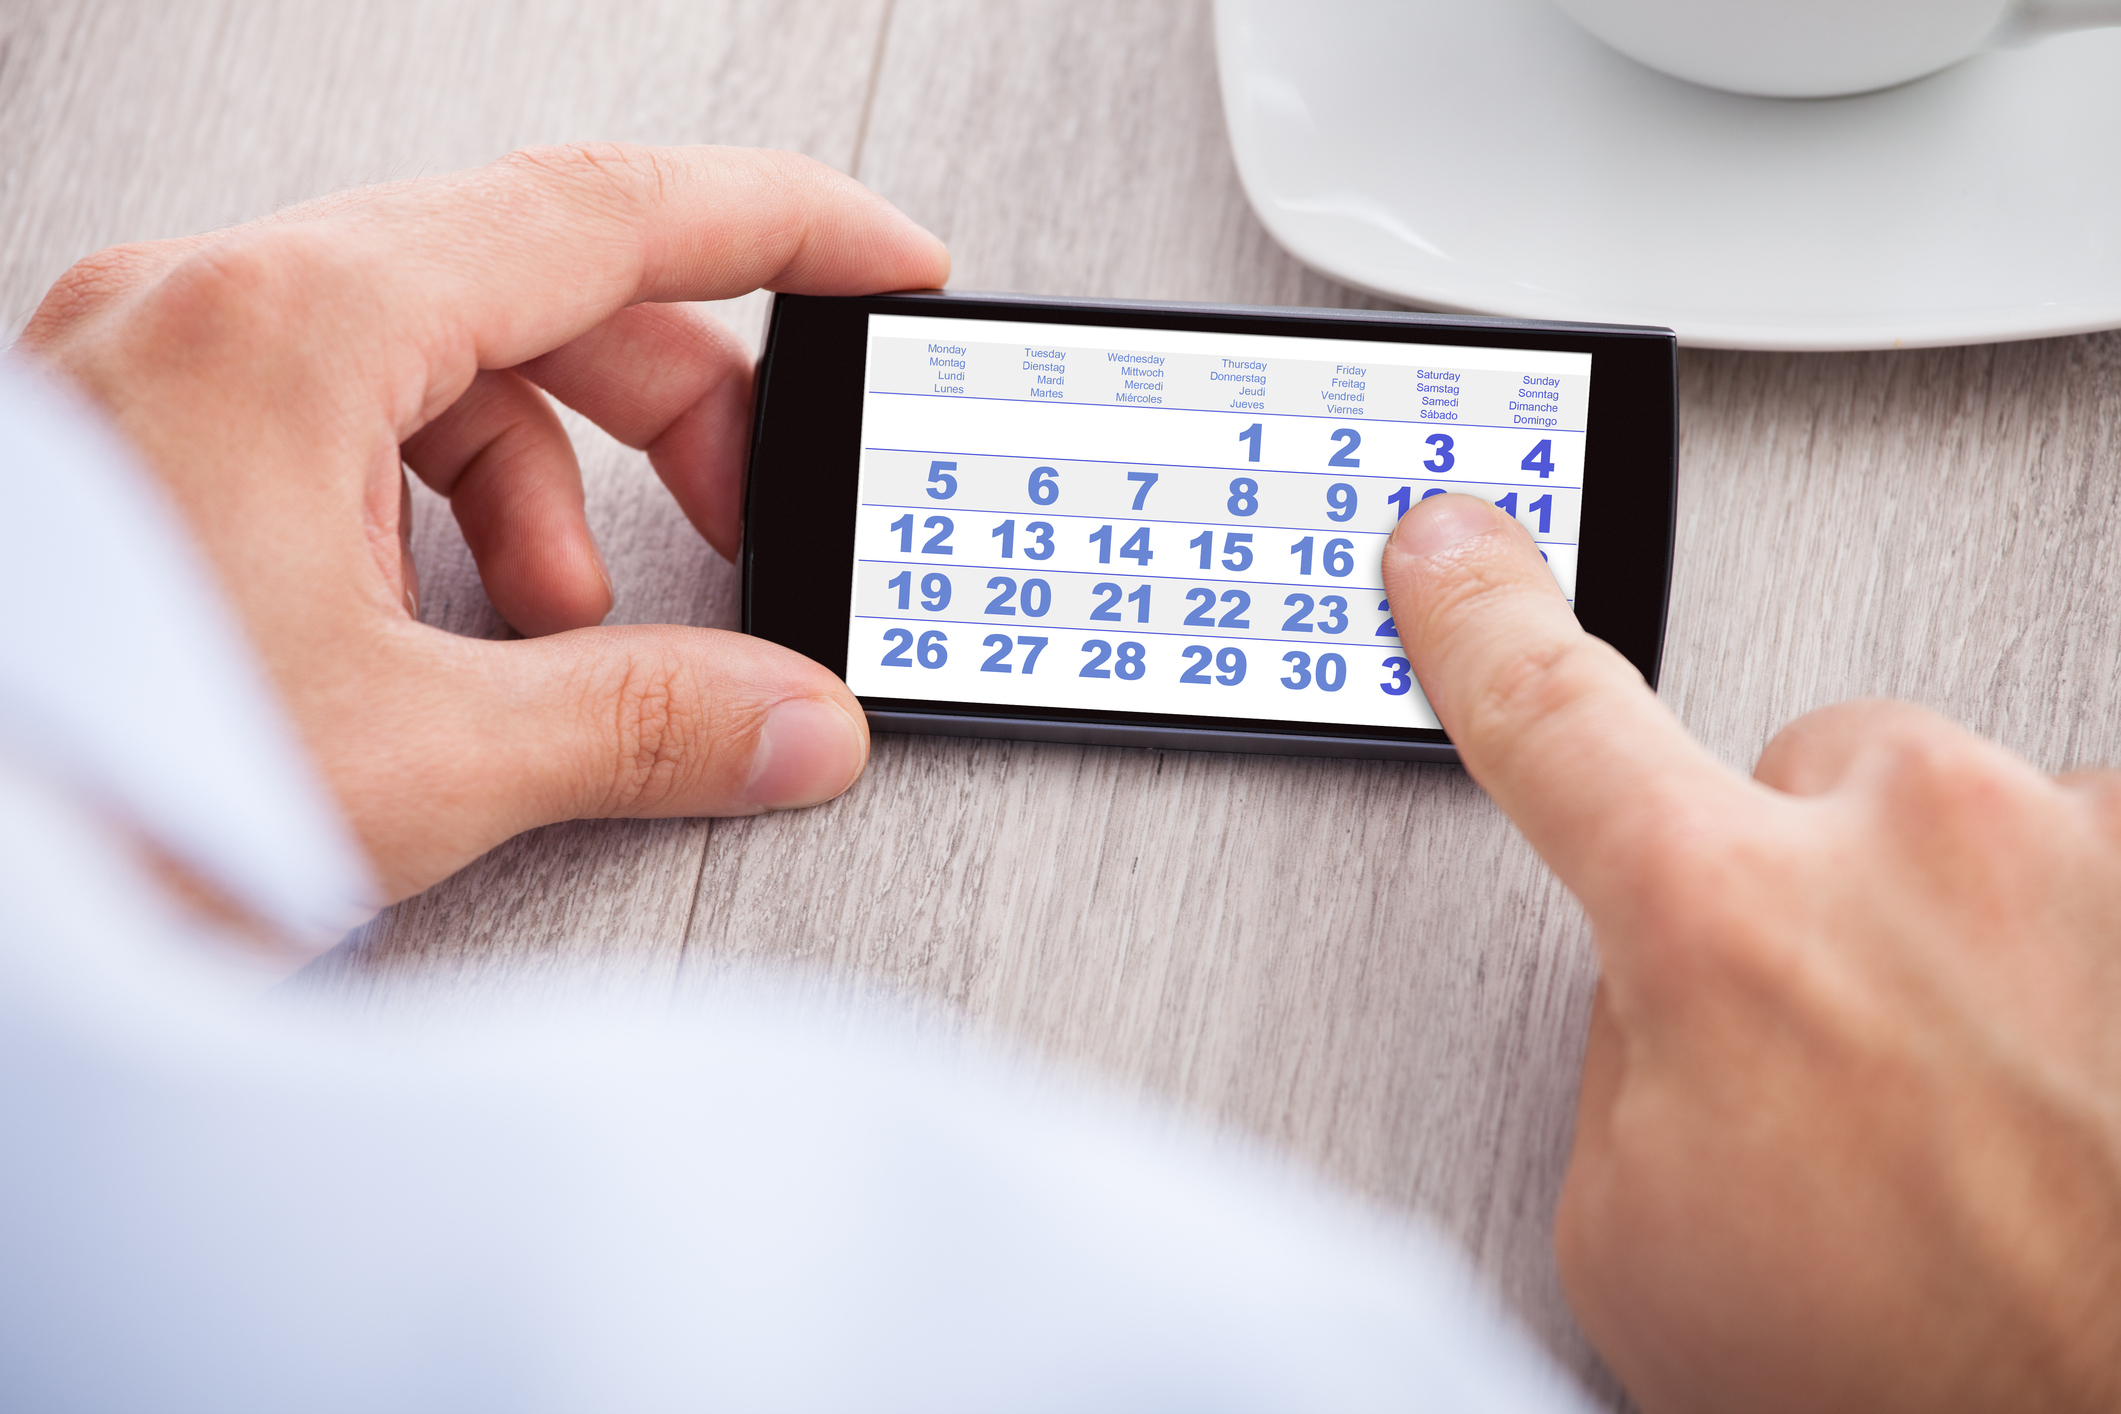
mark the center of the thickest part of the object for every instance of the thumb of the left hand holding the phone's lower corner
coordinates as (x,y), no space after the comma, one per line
(606,722)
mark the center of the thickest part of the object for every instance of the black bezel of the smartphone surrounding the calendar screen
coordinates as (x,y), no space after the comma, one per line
(799,556)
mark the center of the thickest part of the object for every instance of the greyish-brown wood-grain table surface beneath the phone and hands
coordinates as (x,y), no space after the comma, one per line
(1361,964)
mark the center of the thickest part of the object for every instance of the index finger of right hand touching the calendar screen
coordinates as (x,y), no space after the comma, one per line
(1552,722)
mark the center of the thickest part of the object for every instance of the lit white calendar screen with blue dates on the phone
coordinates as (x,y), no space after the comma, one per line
(1180,523)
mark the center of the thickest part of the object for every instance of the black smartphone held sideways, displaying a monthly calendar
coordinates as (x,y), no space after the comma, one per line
(1163,525)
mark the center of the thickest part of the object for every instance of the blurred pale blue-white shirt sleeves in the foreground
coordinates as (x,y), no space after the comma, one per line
(213,1203)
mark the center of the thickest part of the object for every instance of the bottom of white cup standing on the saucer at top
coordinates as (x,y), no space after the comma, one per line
(1823,48)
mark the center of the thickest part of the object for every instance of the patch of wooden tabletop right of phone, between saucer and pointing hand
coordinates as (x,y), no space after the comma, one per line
(1931,525)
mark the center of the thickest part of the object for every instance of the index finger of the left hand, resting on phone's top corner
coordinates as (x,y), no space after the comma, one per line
(489,268)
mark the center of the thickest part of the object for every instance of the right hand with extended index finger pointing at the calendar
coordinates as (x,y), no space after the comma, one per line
(1851,1123)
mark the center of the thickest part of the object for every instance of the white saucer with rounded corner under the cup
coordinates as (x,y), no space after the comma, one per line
(1488,156)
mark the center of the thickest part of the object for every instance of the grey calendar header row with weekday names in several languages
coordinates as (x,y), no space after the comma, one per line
(1352,389)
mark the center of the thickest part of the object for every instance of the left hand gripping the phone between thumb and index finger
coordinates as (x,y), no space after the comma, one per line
(279,374)
